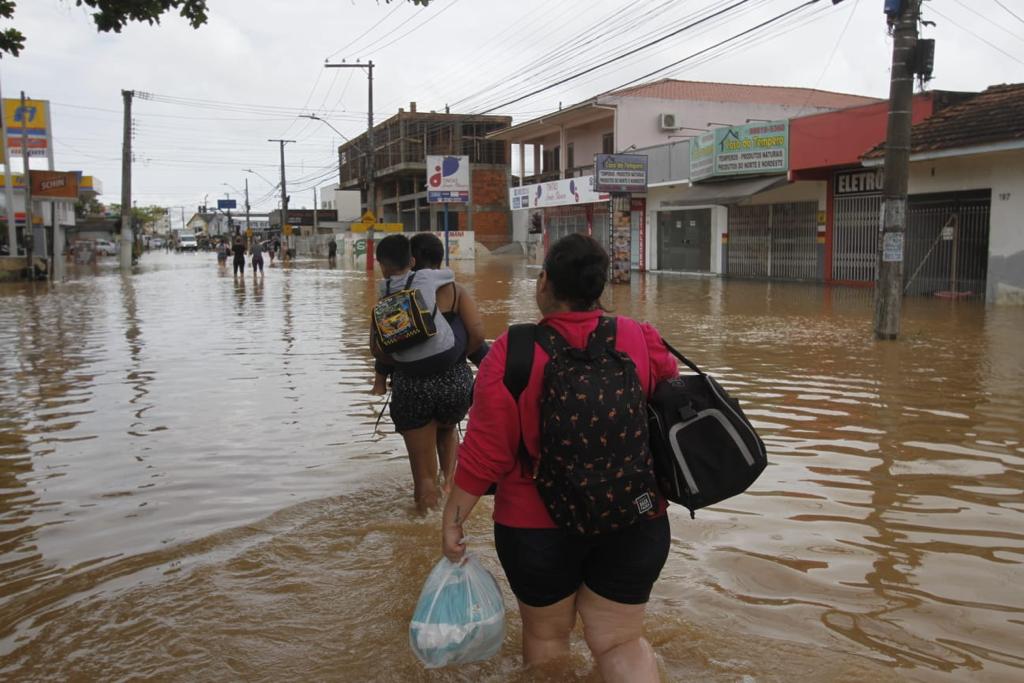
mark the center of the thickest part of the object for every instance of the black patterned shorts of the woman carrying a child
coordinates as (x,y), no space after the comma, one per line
(445,397)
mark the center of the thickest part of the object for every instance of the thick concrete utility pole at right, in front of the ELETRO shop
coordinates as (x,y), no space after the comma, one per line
(889,288)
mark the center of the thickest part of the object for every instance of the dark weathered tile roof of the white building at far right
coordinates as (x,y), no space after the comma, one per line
(995,116)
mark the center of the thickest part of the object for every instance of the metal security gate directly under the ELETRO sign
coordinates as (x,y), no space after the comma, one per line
(856,238)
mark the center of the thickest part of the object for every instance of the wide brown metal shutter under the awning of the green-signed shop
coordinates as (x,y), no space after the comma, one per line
(775,241)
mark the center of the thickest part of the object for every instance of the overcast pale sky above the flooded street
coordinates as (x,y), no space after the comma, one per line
(226,89)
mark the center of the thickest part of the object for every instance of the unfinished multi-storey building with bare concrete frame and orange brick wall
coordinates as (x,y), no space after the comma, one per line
(403,144)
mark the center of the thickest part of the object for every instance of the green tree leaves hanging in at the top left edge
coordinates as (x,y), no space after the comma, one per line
(116,15)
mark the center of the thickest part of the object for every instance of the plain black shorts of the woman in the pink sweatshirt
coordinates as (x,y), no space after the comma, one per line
(545,566)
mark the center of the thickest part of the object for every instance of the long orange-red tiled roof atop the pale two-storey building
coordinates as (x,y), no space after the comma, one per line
(732,93)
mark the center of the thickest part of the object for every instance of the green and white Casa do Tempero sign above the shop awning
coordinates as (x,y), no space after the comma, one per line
(759,149)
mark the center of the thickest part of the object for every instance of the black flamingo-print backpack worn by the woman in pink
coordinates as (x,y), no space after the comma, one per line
(595,473)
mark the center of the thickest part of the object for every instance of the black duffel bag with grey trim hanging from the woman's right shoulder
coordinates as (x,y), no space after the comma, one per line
(706,450)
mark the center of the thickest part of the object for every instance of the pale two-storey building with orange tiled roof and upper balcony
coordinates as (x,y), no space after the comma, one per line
(563,146)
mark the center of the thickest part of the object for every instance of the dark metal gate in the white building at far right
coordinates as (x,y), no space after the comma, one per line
(947,252)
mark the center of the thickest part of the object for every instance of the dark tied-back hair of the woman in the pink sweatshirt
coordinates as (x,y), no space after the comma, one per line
(578,270)
